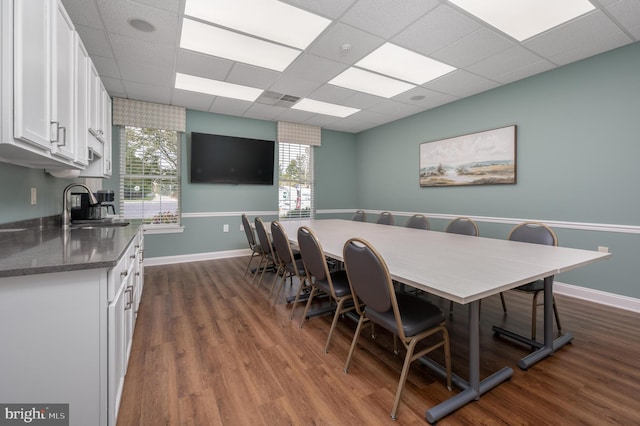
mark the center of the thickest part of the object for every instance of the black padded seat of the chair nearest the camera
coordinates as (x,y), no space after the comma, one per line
(417,315)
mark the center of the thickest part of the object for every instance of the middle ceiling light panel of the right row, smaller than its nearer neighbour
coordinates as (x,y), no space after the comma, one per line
(368,82)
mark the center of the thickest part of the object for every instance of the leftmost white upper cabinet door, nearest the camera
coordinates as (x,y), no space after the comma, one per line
(32,71)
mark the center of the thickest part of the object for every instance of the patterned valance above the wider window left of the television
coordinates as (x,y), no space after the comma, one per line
(128,112)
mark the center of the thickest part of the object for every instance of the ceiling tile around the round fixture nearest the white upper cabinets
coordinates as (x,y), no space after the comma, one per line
(118,12)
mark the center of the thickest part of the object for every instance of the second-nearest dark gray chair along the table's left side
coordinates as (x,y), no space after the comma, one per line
(335,284)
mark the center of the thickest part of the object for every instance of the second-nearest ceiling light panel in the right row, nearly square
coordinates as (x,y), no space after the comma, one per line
(401,63)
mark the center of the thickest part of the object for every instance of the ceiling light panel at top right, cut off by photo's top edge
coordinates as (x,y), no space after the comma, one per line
(523,19)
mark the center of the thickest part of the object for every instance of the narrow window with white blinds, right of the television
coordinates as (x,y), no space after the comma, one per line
(295,191)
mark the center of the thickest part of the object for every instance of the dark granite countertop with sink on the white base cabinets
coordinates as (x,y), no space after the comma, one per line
(35,250)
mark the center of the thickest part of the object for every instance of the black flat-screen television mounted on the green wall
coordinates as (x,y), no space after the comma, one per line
(229,159)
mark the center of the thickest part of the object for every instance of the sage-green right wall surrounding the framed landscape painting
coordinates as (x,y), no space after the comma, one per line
(578,147)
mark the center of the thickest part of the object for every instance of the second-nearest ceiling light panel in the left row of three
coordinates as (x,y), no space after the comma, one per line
(226,44)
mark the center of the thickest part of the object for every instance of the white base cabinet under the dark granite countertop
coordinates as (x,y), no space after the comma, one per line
(66,337)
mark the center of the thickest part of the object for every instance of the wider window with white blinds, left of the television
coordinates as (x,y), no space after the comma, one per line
(150,175)
